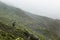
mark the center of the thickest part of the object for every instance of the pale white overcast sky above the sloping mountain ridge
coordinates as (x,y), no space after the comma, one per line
(49,8)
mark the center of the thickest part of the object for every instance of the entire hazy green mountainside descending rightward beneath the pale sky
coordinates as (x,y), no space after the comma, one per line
(43,27)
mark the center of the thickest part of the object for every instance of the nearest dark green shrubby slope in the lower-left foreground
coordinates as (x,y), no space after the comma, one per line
(13,33)
